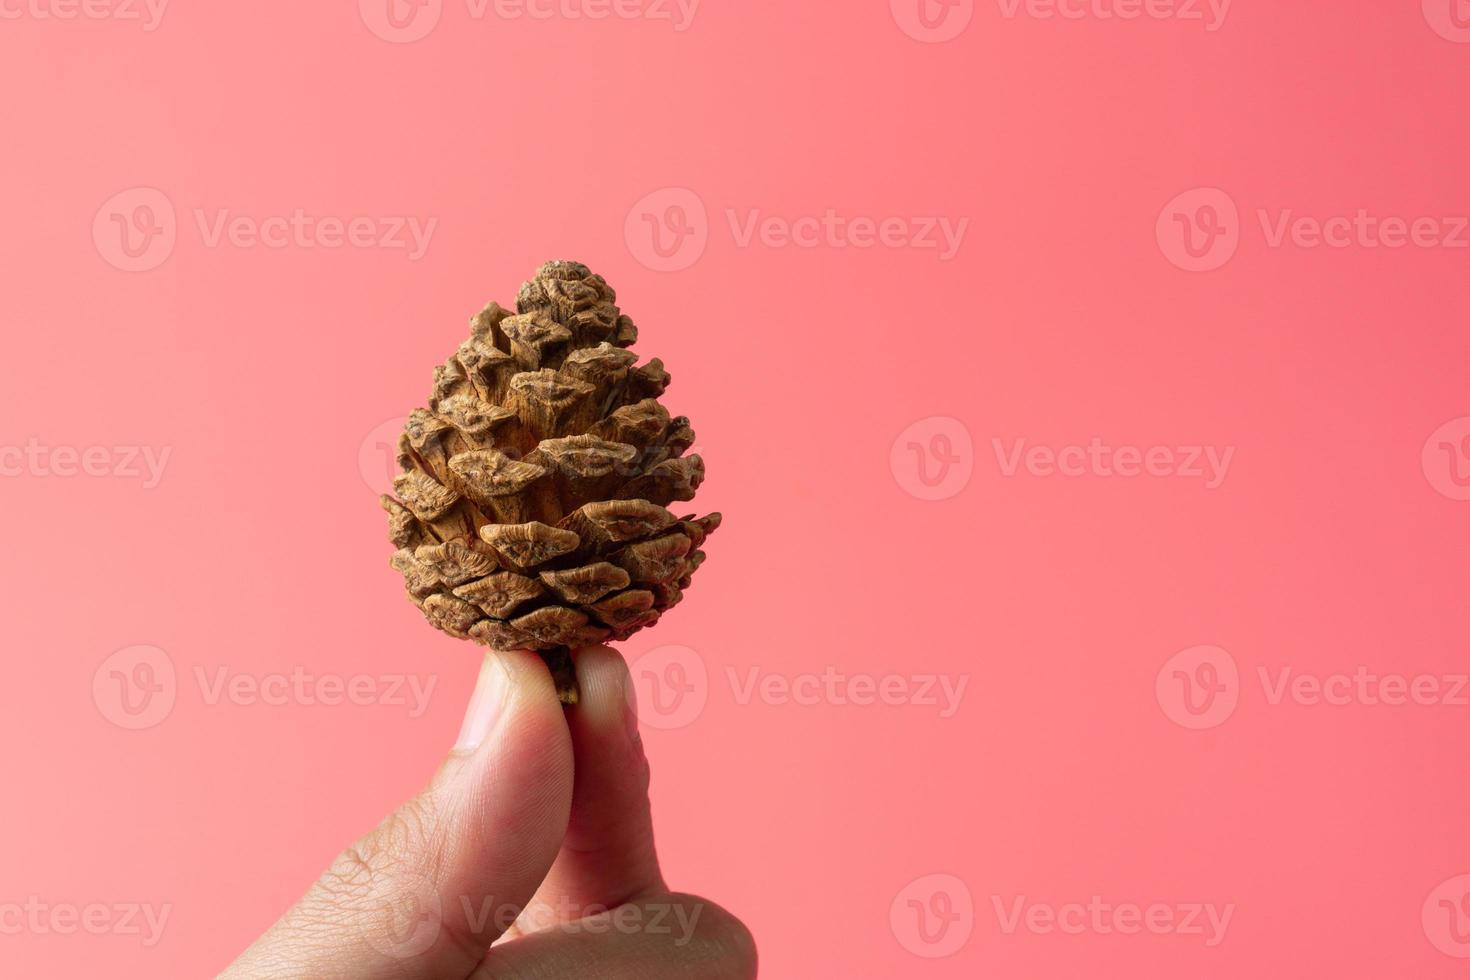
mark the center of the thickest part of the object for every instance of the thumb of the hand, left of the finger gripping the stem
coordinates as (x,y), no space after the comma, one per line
(427,891)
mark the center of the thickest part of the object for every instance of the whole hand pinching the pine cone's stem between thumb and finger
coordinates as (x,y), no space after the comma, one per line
(528,857)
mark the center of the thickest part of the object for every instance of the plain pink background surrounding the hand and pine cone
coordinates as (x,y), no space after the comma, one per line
(1074,765)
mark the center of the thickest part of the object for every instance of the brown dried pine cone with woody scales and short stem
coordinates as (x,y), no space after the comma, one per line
(531,511)
